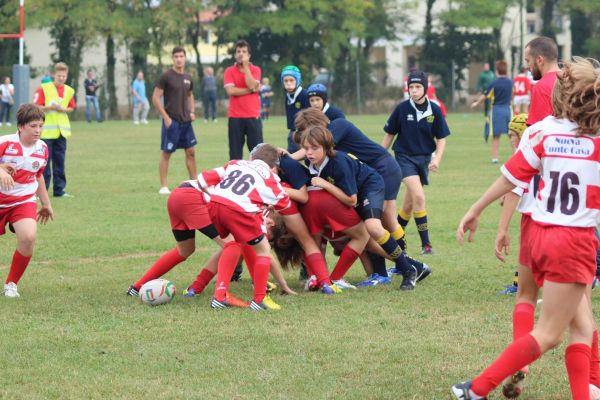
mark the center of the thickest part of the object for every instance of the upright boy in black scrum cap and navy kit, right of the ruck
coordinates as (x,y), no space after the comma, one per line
(420,130)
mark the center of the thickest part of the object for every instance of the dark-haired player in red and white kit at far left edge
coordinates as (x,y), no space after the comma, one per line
(23,157)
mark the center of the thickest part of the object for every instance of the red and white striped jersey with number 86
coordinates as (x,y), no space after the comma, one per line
(248,186)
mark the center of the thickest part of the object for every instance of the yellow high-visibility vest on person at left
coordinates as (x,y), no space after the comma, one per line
(57,123)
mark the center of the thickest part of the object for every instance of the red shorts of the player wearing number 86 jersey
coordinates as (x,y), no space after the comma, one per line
(244,226)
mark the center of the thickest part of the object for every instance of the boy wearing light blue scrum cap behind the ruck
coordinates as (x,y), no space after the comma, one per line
(296,99)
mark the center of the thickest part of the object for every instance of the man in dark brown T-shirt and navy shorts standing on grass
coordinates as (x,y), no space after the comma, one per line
(177,117)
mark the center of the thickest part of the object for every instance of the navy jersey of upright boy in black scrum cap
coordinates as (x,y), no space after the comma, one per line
(416,131)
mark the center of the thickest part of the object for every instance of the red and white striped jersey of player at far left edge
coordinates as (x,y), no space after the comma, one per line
(29,163)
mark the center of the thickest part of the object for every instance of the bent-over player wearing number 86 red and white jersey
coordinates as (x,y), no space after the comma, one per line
(242,191)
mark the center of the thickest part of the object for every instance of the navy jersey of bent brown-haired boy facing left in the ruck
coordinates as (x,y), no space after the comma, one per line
(348,173)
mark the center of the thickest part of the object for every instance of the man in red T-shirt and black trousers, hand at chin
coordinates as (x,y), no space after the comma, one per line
(242,84)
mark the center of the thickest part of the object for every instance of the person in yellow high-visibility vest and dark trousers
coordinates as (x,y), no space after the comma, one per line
(57,102)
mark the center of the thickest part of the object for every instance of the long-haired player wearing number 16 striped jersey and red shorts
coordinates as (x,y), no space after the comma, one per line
(566,153)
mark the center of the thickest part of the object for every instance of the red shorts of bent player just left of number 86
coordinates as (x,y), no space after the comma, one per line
(187,209)
